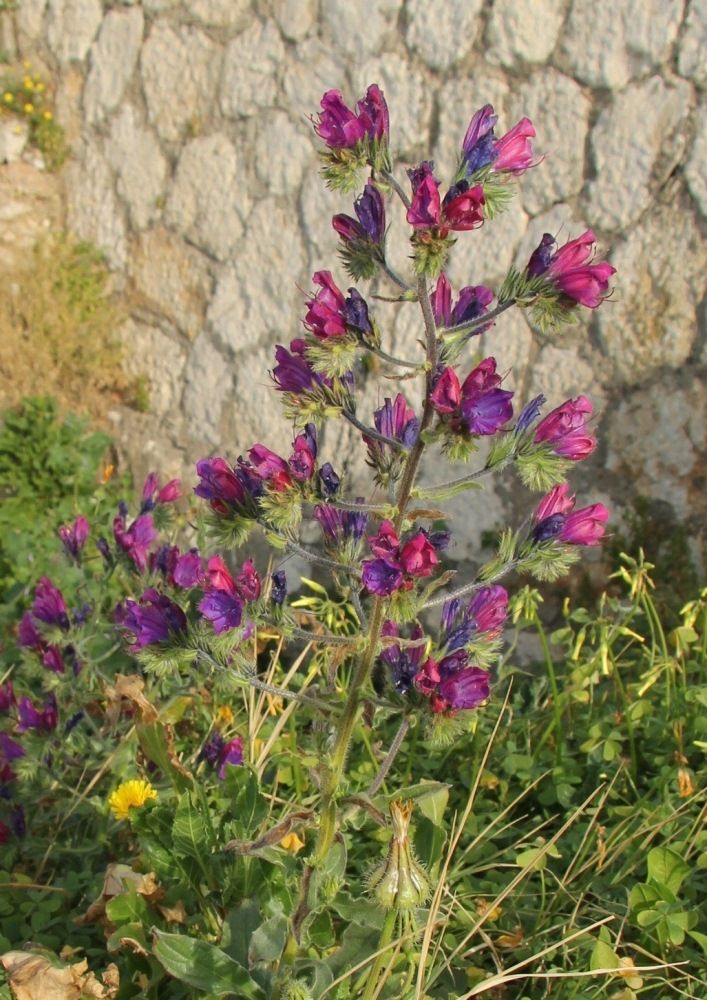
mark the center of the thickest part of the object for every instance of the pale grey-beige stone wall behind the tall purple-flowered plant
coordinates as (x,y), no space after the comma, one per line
(195,168)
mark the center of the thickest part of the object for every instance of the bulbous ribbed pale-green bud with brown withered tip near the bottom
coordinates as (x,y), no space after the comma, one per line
(400,882)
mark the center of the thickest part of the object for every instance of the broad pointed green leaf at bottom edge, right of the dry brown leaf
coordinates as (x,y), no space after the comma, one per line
(203,966)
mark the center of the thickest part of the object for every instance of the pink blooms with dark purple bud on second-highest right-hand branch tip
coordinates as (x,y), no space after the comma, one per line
(570,269)
